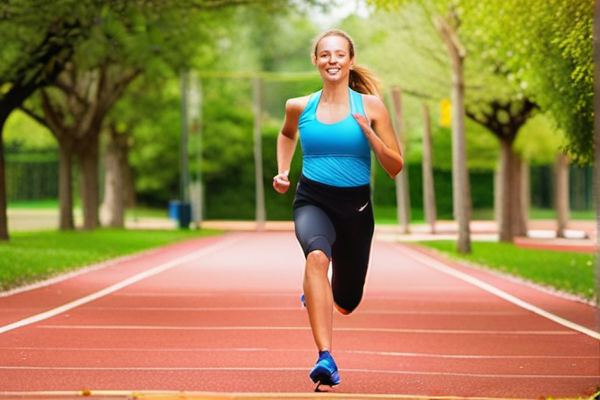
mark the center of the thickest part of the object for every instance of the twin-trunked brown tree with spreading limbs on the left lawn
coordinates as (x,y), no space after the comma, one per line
(75,119)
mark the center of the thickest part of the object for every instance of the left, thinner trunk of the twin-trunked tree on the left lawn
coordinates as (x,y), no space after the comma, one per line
(65,187)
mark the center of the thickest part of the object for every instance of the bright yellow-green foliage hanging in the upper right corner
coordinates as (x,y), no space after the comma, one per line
(542,50)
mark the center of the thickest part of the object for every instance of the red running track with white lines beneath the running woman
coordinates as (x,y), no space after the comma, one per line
(223,315)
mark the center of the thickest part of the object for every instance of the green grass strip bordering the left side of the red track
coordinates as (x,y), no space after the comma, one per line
(32,256)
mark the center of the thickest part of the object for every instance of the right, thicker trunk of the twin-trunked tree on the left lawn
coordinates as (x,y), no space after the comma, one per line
(88,159)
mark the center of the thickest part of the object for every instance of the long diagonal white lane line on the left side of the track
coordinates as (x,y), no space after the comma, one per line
(120,285)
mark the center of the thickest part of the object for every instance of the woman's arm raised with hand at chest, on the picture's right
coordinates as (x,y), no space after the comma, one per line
(381,135)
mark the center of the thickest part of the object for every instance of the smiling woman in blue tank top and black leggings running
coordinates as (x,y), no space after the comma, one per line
(333,216)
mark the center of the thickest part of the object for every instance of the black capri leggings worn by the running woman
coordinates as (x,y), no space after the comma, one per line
(339,222)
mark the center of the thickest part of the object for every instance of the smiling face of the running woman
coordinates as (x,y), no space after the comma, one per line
(333,58)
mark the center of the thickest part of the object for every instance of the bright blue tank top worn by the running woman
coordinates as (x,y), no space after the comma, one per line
(335,154)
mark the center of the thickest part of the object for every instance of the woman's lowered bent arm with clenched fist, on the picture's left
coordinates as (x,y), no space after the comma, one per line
(286,143)
